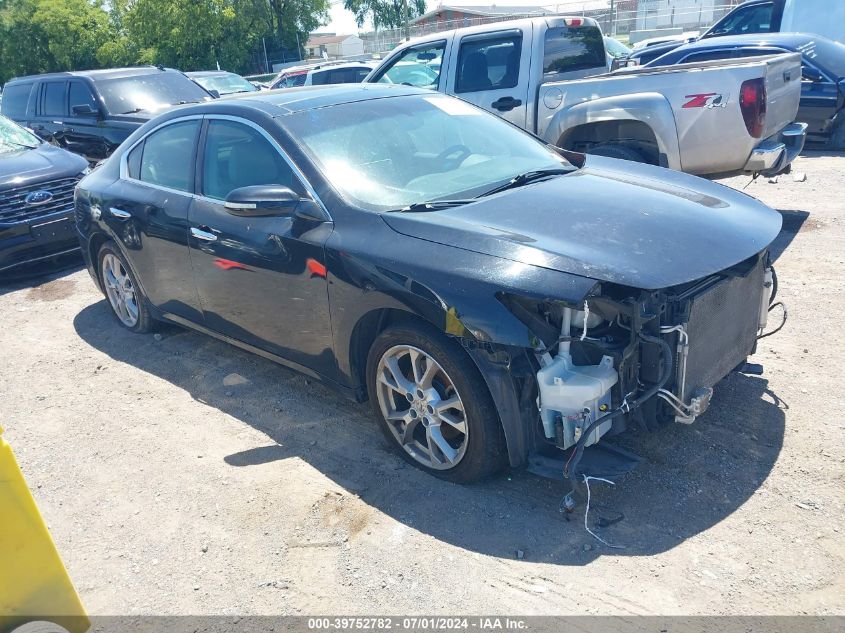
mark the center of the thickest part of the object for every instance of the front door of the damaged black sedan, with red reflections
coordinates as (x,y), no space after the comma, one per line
(261,280)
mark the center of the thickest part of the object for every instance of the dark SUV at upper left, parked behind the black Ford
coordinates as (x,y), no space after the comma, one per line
(92,112)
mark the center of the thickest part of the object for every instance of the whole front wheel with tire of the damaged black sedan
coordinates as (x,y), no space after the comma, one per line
(433,404)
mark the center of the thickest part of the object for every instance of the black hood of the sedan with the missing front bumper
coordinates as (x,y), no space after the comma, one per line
(612,221)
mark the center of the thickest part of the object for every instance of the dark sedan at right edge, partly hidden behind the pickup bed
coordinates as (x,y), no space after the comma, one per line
(822,105)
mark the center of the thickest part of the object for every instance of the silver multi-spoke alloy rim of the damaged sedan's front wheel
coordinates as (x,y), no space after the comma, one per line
(422,407)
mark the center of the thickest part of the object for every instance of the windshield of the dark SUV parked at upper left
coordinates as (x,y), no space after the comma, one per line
(149,92)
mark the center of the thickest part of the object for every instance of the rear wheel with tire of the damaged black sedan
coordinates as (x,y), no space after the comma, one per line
(126,299)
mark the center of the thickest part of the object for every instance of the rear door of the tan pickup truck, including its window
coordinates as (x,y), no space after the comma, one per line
(491,71)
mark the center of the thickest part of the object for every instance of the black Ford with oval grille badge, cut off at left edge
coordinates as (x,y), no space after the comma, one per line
(36,198)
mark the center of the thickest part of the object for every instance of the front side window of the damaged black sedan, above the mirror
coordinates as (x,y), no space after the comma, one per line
(236,155)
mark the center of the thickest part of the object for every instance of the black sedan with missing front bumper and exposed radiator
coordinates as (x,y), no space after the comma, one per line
(495,300)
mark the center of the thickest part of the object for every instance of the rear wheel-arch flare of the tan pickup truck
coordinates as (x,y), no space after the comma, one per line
(650,108)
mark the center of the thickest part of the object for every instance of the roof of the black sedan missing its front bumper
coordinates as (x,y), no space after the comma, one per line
(292,100)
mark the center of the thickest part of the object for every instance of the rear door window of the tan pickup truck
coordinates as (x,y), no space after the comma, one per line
(489,64)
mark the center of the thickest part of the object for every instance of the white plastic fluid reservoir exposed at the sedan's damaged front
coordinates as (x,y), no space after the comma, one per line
(576,395)
